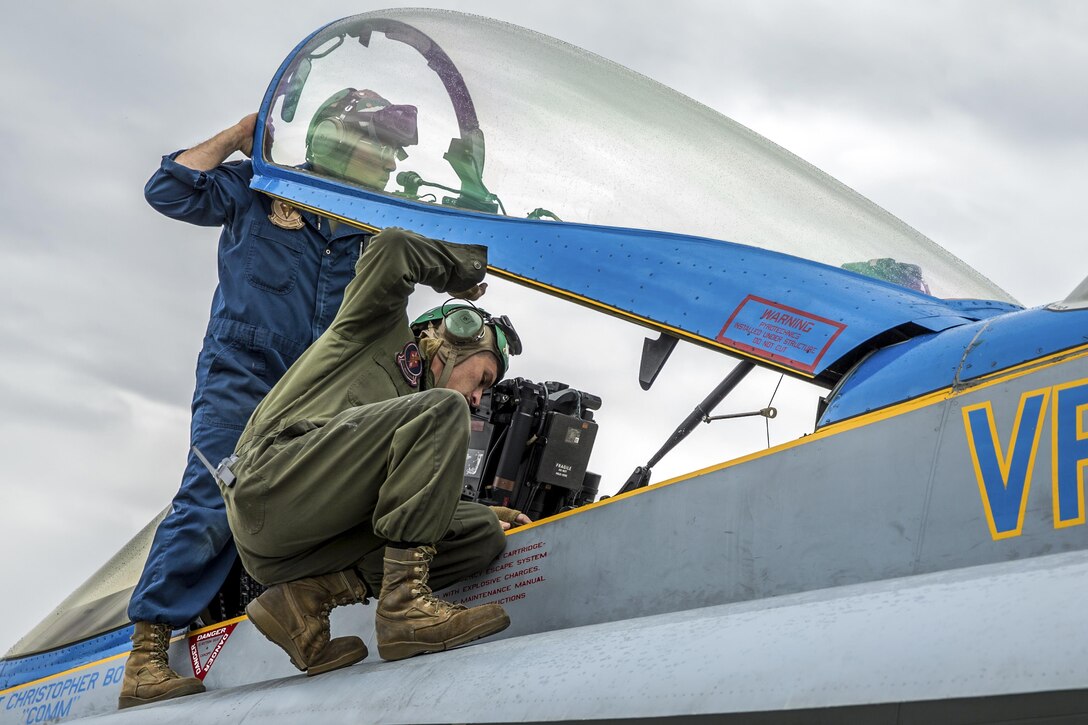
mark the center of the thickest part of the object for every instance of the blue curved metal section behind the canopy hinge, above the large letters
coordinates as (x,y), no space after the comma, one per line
(955,358)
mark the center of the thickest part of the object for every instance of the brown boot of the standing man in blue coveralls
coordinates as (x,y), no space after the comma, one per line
(149,677)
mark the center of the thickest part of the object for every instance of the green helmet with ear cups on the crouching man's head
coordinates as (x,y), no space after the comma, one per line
(463,330)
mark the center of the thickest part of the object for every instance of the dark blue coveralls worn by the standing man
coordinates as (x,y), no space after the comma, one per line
(279,290)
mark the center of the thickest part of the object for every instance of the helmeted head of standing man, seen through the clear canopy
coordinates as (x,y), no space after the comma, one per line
(358,137)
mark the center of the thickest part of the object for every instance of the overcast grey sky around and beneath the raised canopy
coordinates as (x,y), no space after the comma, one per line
(968,120)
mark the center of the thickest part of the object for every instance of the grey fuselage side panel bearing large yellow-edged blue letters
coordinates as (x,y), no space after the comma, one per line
(918,508)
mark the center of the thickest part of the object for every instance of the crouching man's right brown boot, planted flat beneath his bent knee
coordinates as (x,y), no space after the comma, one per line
(412,621)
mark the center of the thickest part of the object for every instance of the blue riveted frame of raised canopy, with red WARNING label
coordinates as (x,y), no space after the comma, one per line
(783,312)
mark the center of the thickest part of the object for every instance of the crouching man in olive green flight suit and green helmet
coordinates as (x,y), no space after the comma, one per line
(349,476)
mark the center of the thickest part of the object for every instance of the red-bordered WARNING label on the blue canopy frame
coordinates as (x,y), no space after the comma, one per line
(784,335)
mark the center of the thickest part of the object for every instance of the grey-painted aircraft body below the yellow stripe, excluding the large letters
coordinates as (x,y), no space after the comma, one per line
(757,551)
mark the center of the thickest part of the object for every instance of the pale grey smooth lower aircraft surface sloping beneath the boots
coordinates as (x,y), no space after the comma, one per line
(921,640)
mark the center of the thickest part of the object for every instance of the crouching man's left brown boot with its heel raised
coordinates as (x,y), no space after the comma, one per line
(295,617)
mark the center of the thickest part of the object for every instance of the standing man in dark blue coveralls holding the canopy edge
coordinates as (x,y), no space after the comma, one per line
(282,275)
